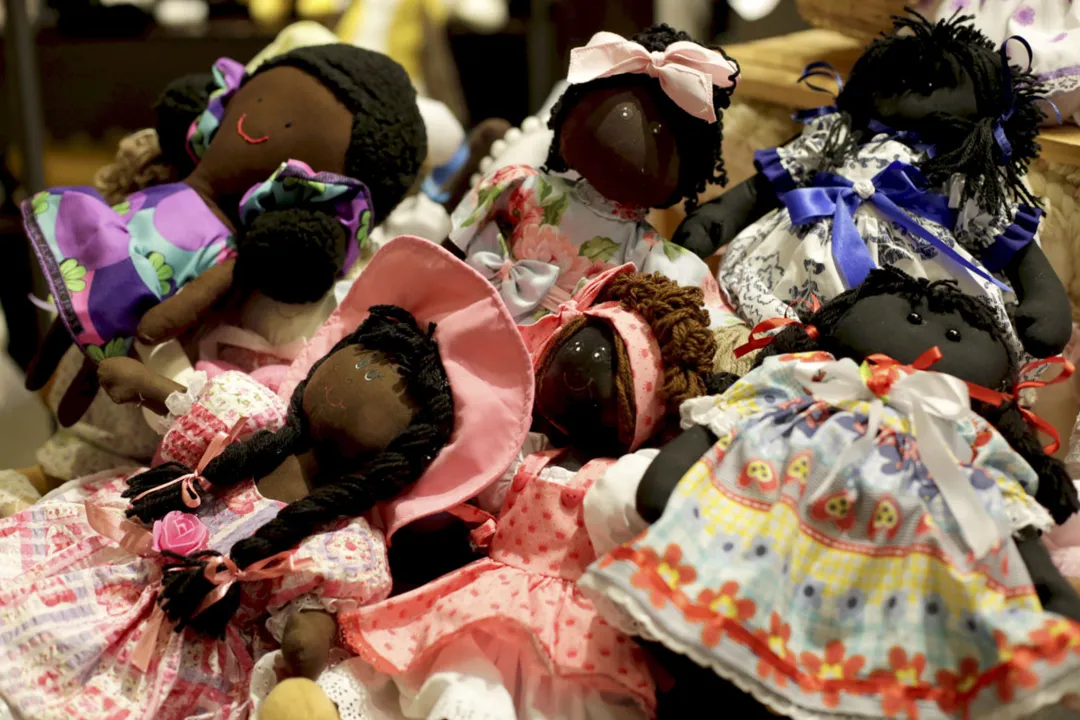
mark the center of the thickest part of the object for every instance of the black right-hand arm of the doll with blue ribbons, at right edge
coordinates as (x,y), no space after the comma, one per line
(1044,319)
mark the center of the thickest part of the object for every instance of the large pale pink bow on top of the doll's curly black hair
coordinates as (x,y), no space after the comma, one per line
(687,72)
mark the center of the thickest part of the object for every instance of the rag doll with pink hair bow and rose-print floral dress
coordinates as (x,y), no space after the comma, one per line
(641,125)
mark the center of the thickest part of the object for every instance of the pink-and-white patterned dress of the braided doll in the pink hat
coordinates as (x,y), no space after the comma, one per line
(74,607)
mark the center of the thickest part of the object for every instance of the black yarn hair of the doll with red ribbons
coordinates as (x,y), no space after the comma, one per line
(1057,492)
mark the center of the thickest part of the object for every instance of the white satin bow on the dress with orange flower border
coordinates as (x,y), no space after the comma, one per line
(936,403)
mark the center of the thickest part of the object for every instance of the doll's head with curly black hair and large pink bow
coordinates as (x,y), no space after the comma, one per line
(641,119)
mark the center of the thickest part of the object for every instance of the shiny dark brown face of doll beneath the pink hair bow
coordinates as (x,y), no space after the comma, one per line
(622,142)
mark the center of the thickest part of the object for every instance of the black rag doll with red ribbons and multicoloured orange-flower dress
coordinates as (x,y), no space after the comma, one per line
(842,507)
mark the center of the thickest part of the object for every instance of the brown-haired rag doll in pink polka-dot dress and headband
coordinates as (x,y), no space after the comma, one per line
(509,636)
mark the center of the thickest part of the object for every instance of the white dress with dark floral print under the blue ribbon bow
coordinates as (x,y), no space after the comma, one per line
(774,265)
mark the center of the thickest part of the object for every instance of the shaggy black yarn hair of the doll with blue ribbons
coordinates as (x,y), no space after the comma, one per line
(927,50)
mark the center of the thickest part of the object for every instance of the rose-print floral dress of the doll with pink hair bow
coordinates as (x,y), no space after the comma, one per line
(537,237)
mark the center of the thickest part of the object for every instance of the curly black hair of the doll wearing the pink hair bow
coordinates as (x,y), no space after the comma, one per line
(699,142)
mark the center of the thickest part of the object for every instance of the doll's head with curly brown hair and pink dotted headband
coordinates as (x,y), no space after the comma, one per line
(615,360)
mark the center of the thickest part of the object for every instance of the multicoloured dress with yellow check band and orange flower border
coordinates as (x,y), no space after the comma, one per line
(872,606)
